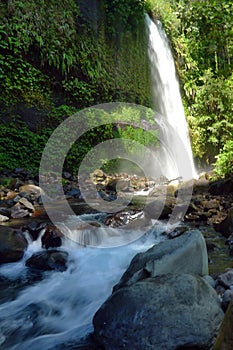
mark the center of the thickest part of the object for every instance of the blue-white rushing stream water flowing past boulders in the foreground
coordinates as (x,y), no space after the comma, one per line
(60,307)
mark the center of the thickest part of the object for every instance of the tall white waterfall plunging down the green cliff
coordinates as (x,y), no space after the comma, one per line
(176,154)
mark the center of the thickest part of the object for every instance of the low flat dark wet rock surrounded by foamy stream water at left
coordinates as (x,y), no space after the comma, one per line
(48,260)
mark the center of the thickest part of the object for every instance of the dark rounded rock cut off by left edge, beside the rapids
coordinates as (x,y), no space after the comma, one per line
(12,245)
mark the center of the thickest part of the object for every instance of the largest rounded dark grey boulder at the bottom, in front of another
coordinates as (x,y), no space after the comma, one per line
(179,311)
